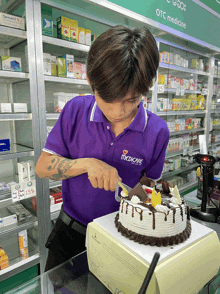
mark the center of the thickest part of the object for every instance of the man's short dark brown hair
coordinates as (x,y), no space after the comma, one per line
(121,60)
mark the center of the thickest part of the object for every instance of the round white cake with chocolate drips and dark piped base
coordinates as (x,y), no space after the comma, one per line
(151,216)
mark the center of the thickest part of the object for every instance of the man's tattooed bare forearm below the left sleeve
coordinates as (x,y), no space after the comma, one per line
(60,168)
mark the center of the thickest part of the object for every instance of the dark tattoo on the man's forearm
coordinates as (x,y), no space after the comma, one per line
(60,166)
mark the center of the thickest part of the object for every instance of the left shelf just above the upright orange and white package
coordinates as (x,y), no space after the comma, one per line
(7,231)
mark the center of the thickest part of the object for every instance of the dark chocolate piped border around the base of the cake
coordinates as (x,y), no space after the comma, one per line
(152,241)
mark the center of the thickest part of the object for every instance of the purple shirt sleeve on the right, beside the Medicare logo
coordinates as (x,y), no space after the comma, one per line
(155,167)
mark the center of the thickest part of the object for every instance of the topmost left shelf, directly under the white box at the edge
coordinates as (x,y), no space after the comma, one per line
(10,37)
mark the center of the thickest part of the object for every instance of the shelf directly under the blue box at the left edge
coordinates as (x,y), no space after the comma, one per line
(17,151)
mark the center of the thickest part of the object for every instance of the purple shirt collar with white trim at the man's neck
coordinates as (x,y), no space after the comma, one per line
(138,124)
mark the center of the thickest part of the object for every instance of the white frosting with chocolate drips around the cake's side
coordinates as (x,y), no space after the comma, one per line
(139,219)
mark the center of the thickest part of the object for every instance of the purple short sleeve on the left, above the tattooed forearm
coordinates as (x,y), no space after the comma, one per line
(57,140)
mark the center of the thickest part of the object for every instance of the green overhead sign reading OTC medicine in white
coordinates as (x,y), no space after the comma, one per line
(185,16)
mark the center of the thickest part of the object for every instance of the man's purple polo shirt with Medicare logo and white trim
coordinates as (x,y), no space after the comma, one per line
(82,131)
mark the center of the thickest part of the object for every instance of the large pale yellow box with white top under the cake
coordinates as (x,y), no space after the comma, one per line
(121,264)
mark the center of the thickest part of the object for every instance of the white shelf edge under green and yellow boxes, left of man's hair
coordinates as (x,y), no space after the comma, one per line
(64,43)
